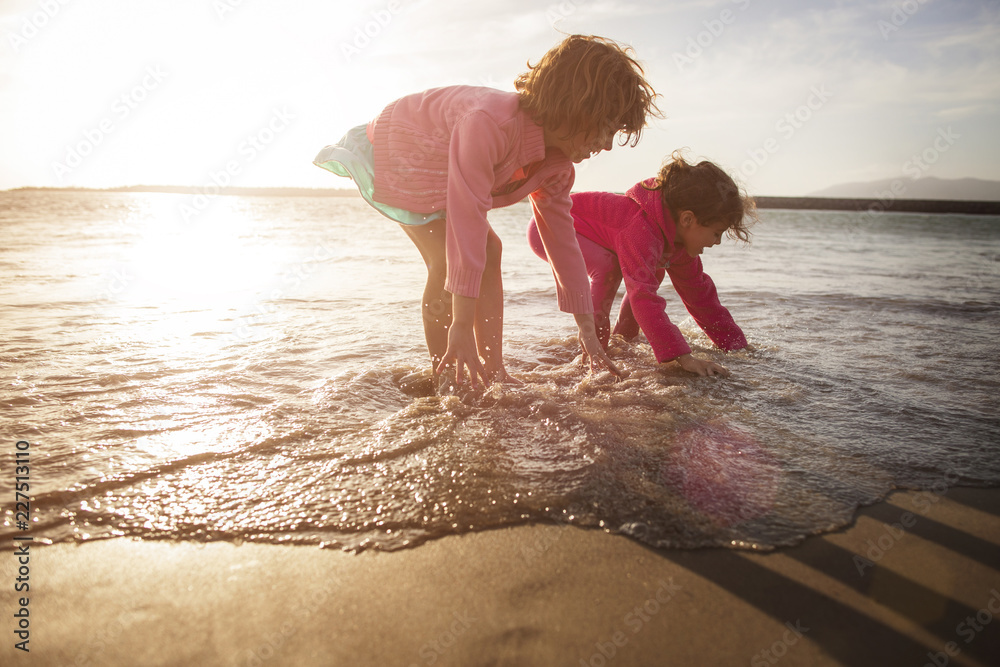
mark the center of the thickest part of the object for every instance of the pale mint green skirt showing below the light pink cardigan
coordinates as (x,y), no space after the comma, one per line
(353,157)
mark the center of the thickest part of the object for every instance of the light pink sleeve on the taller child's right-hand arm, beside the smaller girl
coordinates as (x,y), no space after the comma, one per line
(551,205)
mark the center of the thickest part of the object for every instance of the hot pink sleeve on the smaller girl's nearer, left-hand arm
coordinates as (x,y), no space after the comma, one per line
(639,251)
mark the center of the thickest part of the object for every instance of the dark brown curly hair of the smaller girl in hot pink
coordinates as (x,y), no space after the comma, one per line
(708,192)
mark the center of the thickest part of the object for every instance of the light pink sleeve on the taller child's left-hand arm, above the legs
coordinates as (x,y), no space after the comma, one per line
(476,145)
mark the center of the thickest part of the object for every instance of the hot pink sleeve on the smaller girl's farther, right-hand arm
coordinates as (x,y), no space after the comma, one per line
(701,299)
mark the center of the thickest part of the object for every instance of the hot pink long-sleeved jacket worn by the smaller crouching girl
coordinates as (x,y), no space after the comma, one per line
(637,228)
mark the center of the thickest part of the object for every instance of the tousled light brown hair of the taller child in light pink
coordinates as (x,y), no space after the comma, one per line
(584,83)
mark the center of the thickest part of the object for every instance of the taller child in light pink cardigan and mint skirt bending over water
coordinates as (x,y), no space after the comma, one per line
(436,162)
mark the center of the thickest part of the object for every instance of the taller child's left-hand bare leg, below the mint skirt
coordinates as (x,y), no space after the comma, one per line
(436,304)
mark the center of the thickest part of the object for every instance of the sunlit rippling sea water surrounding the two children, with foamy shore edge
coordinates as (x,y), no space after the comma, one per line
(229,368)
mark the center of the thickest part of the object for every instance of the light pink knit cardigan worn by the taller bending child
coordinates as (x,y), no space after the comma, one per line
(459,148)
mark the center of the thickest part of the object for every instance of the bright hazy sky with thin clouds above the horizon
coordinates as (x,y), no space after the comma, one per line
(788,97)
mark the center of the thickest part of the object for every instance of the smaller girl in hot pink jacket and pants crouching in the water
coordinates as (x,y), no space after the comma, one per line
(660,227)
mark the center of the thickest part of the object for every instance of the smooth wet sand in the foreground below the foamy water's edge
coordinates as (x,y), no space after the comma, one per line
(914,581)
